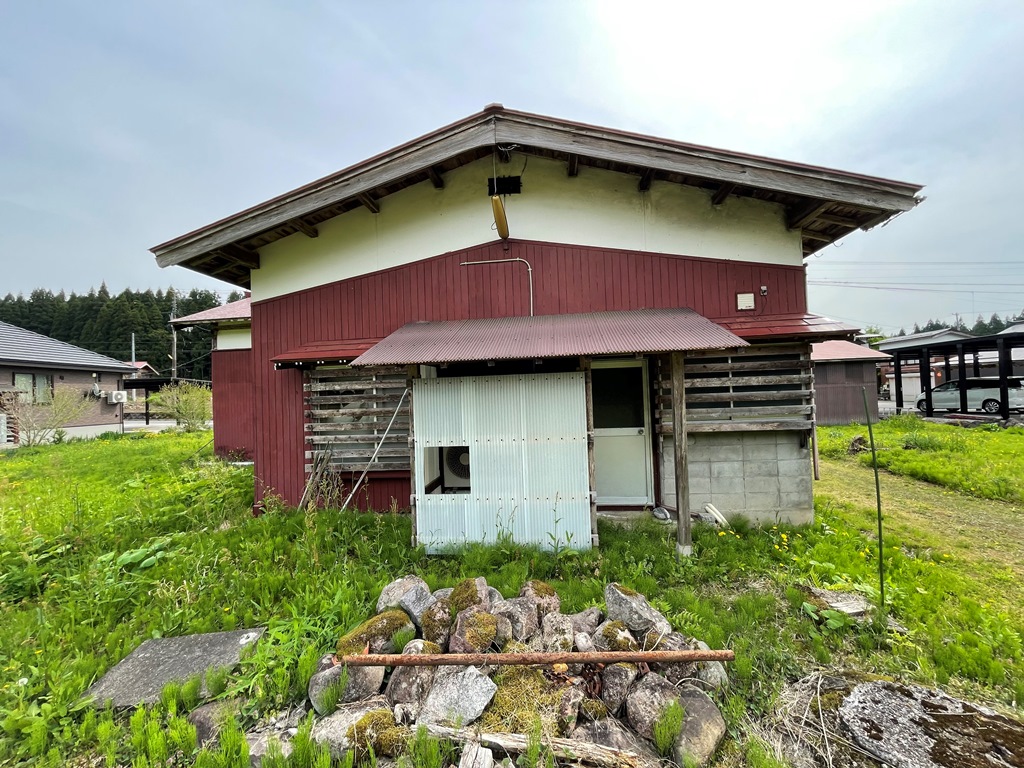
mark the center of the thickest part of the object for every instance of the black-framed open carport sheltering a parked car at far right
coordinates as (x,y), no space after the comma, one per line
(957,353)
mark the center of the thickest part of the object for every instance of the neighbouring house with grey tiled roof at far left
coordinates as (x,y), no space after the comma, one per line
(32,367)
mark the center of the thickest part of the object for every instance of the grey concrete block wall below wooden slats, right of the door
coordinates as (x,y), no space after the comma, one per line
(763,477)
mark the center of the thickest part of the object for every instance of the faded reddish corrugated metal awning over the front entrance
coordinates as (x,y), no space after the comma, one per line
(625,332)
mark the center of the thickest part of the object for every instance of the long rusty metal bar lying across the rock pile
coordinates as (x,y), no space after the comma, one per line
(534,660)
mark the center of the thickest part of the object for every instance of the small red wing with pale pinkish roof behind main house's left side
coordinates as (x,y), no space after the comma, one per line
(232,376)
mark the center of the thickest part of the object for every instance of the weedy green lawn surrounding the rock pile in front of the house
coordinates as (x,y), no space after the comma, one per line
(105,544)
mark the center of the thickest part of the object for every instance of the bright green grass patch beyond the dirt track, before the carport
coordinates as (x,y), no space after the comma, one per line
(986,461)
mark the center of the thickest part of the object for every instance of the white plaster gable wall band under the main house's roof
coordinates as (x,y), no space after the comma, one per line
(598,208)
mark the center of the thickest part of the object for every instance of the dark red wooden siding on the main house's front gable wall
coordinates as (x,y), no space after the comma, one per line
(567,279)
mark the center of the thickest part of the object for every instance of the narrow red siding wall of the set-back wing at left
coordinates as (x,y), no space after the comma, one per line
(234,421)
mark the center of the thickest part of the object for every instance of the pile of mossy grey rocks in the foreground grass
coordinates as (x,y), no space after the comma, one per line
(616,706)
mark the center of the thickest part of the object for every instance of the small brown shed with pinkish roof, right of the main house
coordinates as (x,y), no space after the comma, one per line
(842,371)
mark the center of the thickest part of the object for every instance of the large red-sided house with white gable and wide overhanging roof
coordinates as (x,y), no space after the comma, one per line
(514,381)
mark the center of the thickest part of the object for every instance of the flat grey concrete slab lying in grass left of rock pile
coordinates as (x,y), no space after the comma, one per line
(141,676)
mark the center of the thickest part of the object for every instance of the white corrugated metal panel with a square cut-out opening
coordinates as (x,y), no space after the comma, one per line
(528,446)
